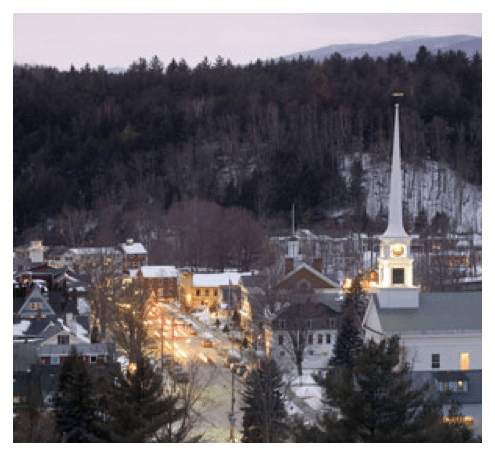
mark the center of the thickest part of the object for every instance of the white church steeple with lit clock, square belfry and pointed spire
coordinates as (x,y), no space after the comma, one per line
(395,264)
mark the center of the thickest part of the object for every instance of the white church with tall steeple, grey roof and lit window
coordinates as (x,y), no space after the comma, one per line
(440,331)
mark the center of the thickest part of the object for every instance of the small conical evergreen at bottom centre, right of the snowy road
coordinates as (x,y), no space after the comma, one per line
(264,418)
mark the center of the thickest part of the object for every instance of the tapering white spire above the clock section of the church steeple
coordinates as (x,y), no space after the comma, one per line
(395,227)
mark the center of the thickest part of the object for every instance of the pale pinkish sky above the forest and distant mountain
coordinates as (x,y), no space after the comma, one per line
(59,39)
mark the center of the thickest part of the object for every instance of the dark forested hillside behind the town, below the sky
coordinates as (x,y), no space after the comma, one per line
(262,136)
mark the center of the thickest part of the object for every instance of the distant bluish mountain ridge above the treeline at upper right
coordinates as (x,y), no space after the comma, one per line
(407,46)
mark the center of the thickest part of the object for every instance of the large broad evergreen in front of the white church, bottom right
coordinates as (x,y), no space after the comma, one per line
(378,403)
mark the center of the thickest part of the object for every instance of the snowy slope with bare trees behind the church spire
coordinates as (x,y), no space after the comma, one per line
(433,186)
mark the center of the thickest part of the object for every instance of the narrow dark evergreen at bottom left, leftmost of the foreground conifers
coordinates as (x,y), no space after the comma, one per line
(75,400)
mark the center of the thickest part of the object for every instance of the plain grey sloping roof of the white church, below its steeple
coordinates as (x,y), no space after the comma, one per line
(439,311)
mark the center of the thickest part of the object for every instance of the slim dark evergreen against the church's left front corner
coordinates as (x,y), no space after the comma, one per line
(349,338)
